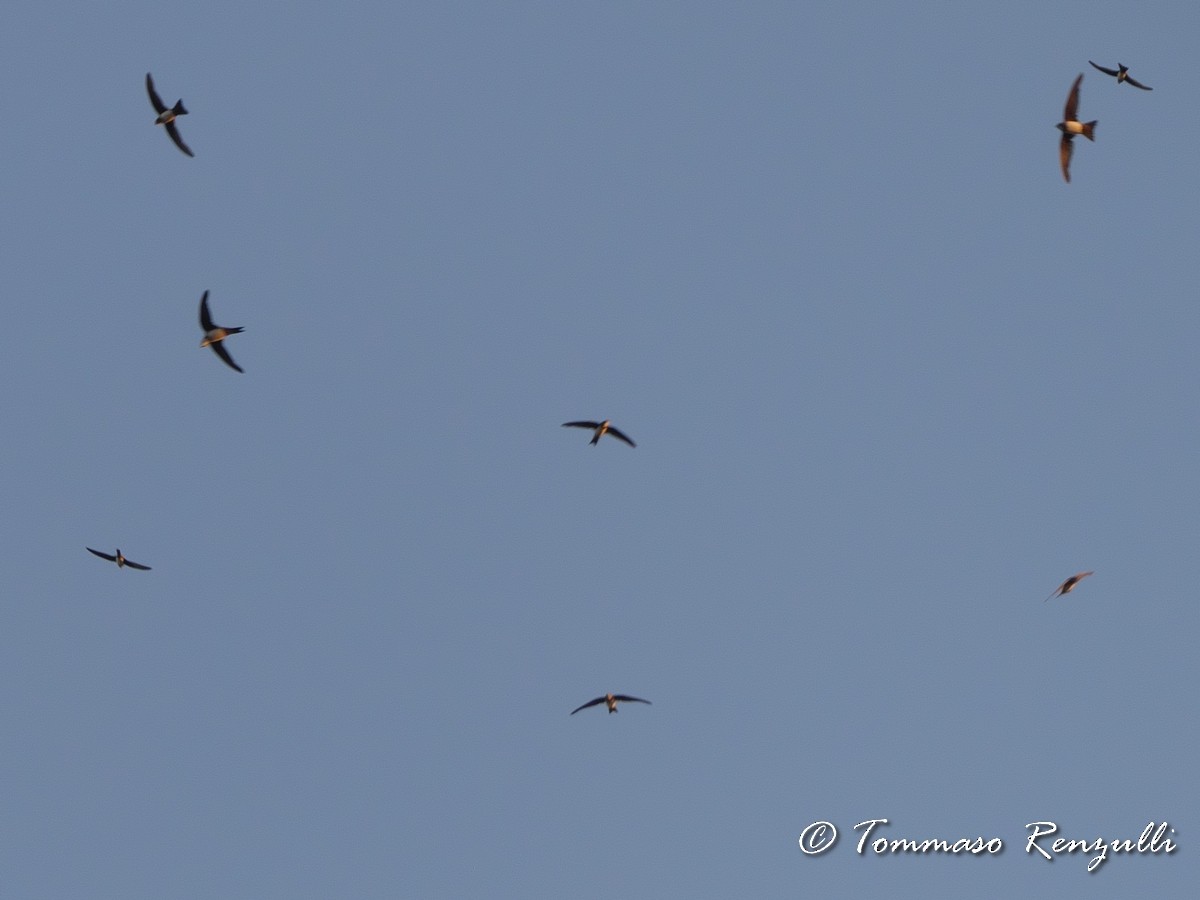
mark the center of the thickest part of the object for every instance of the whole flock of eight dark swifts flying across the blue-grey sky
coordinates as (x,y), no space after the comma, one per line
(215,335)
